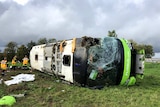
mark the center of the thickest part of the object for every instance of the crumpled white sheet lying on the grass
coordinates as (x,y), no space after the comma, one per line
(19,78)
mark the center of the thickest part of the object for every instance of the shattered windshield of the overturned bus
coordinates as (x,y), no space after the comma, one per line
(104,61)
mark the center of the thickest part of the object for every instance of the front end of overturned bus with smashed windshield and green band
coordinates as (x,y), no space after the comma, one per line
(114,62)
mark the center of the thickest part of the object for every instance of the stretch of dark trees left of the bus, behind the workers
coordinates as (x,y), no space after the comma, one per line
(12,48)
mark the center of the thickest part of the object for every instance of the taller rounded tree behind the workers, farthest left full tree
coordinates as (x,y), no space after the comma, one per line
(10,50)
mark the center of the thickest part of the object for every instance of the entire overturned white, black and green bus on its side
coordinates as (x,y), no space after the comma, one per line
(91,62)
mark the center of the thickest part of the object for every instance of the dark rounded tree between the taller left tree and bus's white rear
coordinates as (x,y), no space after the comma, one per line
(21,52)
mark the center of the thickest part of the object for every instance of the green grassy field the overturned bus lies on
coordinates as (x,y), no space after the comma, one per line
(47,91)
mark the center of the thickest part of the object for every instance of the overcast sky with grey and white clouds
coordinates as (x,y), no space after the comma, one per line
(25,20)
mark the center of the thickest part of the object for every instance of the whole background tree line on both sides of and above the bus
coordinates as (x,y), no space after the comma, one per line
(12,48)
